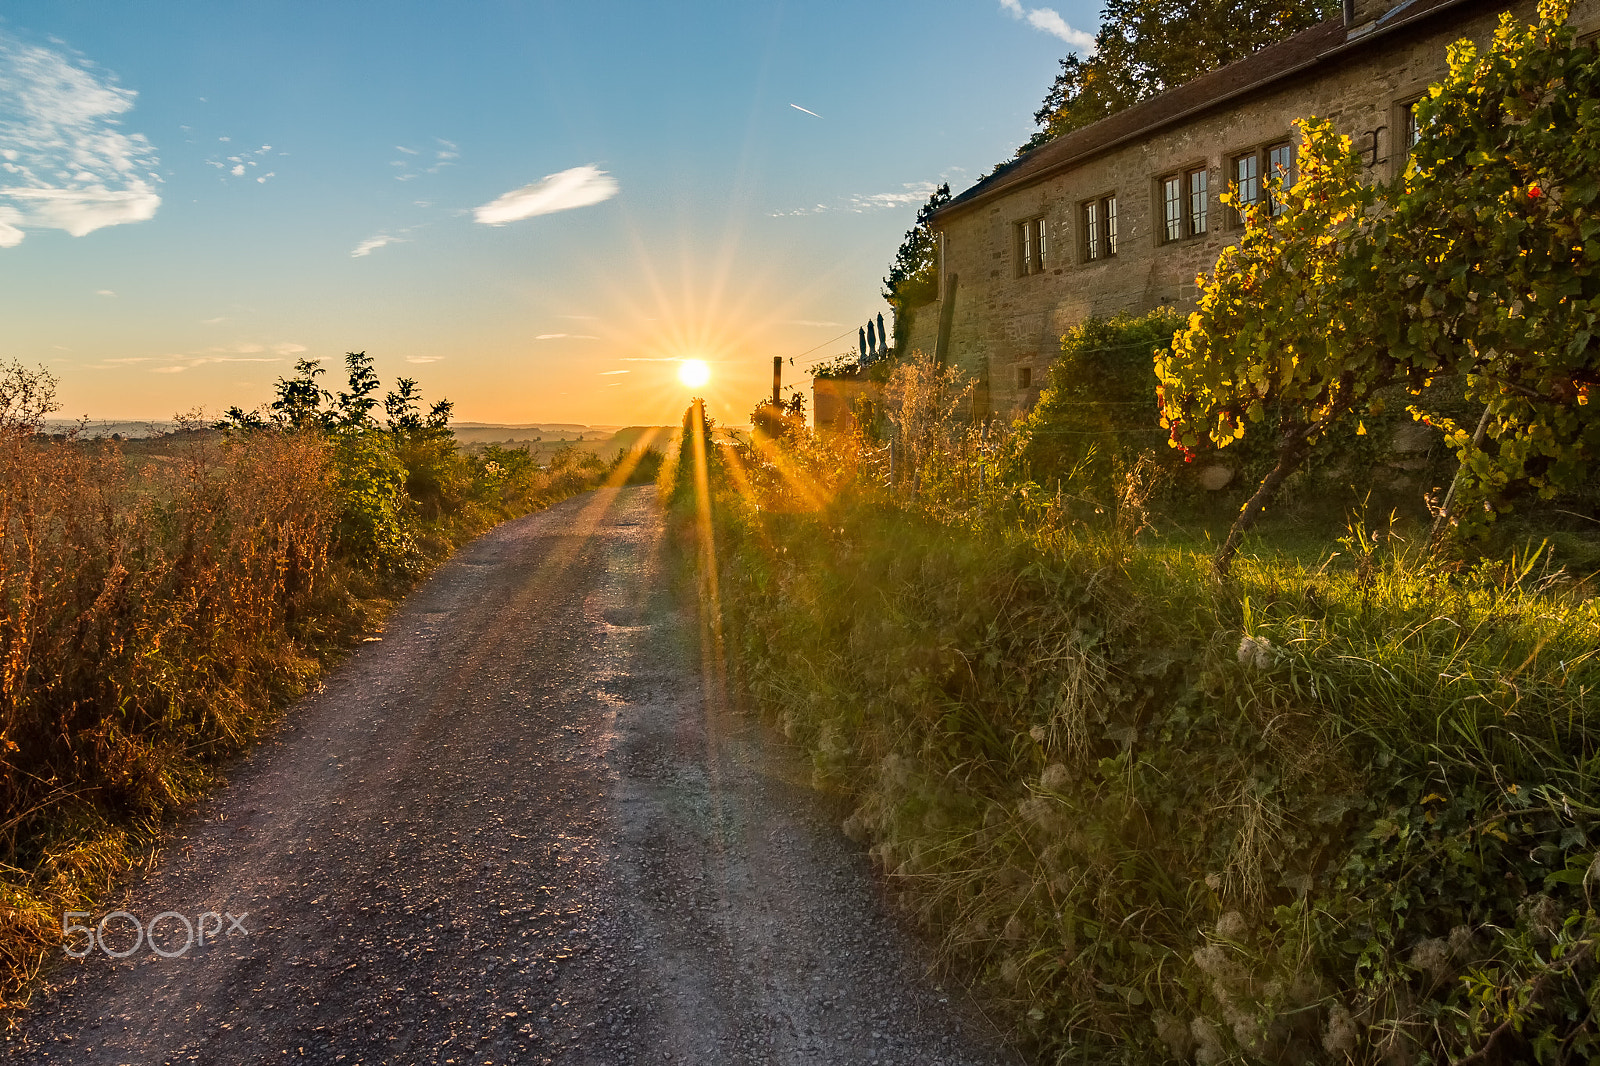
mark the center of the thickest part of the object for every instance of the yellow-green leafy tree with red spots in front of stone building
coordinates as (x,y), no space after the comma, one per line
(1479,262)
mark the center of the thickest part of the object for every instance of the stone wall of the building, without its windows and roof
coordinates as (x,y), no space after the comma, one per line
(1004,324)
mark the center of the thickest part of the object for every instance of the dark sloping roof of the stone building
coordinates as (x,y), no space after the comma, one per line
(1324,44)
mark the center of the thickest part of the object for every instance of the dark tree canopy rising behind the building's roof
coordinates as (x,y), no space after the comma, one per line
(1146,47)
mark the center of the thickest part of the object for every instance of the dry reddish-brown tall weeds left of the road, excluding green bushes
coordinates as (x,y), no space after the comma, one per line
(153,617)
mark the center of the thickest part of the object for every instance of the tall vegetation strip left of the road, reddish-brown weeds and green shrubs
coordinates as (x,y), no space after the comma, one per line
(161,603)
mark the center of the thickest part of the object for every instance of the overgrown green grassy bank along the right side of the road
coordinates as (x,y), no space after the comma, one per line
(1337,809)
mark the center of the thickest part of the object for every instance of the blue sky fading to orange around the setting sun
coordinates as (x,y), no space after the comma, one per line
(534,209)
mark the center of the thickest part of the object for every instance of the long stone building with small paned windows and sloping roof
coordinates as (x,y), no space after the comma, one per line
(1122,215)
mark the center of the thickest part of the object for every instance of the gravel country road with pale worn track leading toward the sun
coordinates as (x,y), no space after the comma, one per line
(514,832)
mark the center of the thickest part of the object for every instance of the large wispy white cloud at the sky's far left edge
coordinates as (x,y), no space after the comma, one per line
(65,161)
